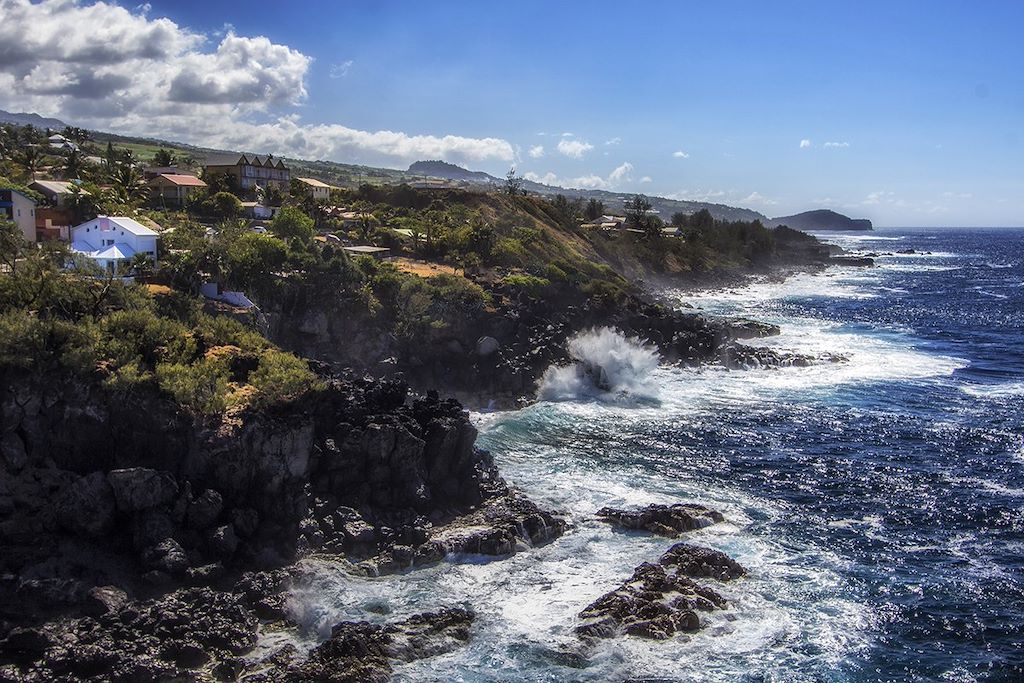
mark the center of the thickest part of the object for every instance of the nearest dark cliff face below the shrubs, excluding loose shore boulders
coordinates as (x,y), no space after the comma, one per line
(100,488)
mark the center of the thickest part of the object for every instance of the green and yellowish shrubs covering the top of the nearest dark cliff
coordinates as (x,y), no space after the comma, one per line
(132,339)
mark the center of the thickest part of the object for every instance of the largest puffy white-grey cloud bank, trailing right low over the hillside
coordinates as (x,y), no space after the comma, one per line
(102,66)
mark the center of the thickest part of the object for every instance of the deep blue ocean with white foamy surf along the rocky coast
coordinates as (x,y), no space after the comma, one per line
(877,503)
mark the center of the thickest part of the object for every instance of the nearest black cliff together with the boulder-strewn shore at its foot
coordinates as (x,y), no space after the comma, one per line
(359,469)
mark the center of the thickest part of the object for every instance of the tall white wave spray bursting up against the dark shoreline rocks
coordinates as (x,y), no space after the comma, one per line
(608,366)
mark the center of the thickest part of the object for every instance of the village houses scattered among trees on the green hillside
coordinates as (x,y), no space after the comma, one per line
(116,211)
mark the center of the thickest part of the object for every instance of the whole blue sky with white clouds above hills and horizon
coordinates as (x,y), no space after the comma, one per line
(905,113)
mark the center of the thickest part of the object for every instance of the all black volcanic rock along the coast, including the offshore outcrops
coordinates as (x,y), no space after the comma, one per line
(143,543)
